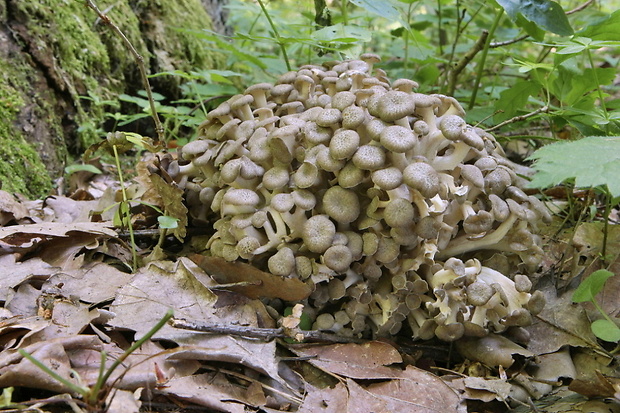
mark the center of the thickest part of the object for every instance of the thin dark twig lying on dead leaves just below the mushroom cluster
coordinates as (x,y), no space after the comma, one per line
(265,334)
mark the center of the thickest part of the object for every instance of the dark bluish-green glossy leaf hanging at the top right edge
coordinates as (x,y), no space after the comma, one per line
(547,14)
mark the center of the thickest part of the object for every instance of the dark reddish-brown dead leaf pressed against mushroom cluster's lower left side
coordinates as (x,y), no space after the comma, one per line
(263,284)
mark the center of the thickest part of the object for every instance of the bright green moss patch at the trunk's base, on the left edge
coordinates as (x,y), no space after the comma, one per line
(21,168)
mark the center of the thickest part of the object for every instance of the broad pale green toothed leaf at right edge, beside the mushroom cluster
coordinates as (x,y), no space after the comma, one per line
(592,161)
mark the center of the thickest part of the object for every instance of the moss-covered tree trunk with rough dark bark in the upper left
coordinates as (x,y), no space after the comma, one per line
(59,65)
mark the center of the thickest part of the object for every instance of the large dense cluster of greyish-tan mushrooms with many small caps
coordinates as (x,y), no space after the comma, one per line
(382,198)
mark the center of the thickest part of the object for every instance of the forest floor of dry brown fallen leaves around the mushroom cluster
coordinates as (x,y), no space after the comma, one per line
(70,295)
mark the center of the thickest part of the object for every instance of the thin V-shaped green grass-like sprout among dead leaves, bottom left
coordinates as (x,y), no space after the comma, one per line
(96,395)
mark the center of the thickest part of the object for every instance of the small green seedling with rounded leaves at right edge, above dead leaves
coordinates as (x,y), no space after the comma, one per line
(605,329)
